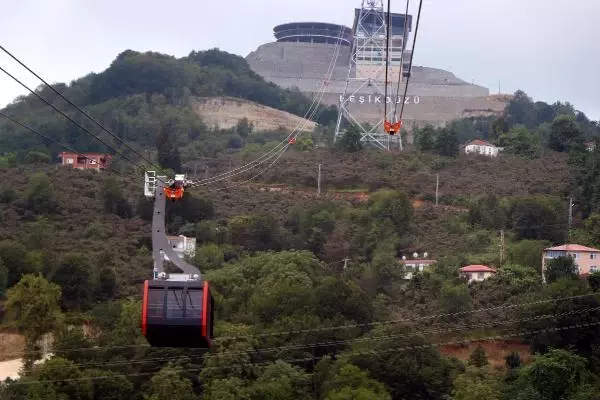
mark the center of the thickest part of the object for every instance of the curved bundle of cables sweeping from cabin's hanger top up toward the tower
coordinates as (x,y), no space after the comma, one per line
(286,142)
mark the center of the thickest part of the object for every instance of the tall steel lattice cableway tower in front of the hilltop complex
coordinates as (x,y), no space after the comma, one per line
(367,69)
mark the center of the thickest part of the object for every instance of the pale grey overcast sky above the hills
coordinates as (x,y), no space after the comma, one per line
(548,48)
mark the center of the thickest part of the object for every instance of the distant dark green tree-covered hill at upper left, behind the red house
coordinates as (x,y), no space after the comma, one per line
(141,93)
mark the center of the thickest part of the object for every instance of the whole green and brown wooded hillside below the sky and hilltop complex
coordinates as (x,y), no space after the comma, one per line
(312,297)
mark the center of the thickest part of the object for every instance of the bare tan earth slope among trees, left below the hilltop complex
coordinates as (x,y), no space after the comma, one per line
(225,112)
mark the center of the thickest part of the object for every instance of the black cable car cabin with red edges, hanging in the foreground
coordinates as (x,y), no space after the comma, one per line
(177,314)
